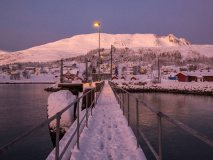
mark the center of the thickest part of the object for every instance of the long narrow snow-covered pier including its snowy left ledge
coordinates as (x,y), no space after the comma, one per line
(107,135)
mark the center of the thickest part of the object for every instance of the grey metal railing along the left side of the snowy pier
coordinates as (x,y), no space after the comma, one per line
(96,91)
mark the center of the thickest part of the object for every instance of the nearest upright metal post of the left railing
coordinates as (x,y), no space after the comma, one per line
(57,136)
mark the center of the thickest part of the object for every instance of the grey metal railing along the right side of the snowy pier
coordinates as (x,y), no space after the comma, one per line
(159,114)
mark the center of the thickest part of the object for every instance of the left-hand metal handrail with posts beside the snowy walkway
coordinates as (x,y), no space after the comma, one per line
(57,116)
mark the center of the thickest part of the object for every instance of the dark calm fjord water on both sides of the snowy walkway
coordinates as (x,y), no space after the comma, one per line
(23,107)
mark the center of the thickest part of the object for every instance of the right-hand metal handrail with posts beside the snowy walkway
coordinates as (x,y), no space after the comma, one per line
(160,115)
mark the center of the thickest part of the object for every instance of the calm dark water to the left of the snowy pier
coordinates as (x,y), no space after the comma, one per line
(23,107)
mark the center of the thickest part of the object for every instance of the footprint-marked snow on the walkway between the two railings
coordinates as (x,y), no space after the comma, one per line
(108,135)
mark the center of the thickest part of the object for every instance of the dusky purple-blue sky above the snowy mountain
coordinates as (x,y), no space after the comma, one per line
(28,23)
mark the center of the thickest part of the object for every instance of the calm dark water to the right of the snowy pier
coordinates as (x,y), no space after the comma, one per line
(194,111)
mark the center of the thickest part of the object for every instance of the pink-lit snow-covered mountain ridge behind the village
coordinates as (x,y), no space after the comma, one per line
(81,44)
